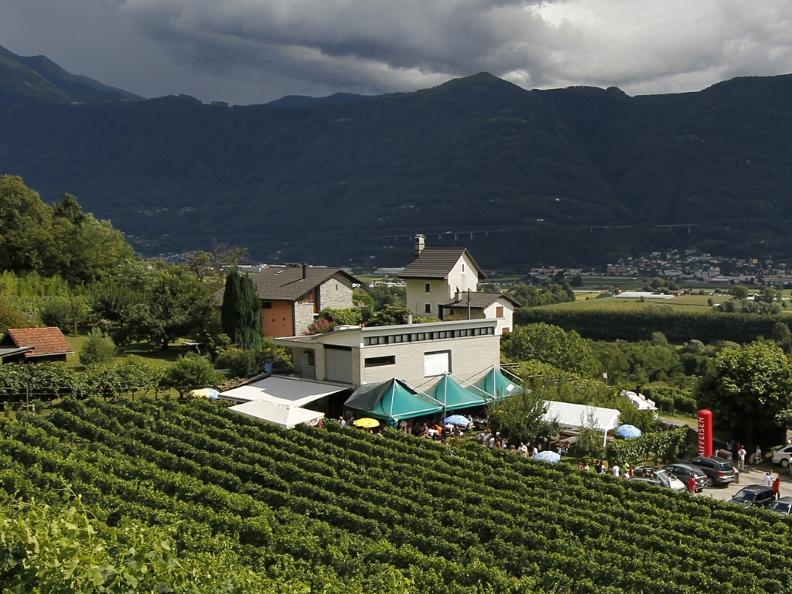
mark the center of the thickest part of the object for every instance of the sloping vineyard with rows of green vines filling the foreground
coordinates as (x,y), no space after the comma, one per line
(145,495)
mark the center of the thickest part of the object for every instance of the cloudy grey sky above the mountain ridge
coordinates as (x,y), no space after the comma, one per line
(254,51)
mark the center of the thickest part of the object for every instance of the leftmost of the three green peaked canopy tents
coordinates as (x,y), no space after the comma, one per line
(392,401)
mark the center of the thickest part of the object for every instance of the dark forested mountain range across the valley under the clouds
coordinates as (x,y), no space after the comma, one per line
(569,176)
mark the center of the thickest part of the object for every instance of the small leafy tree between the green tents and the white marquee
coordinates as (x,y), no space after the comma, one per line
(521,418)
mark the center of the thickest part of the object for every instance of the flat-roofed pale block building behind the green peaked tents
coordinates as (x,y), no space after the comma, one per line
(415,353)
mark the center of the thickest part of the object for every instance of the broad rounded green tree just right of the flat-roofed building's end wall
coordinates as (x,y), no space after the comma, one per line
(551,344)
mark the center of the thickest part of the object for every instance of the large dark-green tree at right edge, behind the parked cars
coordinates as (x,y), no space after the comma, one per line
(749,389)
